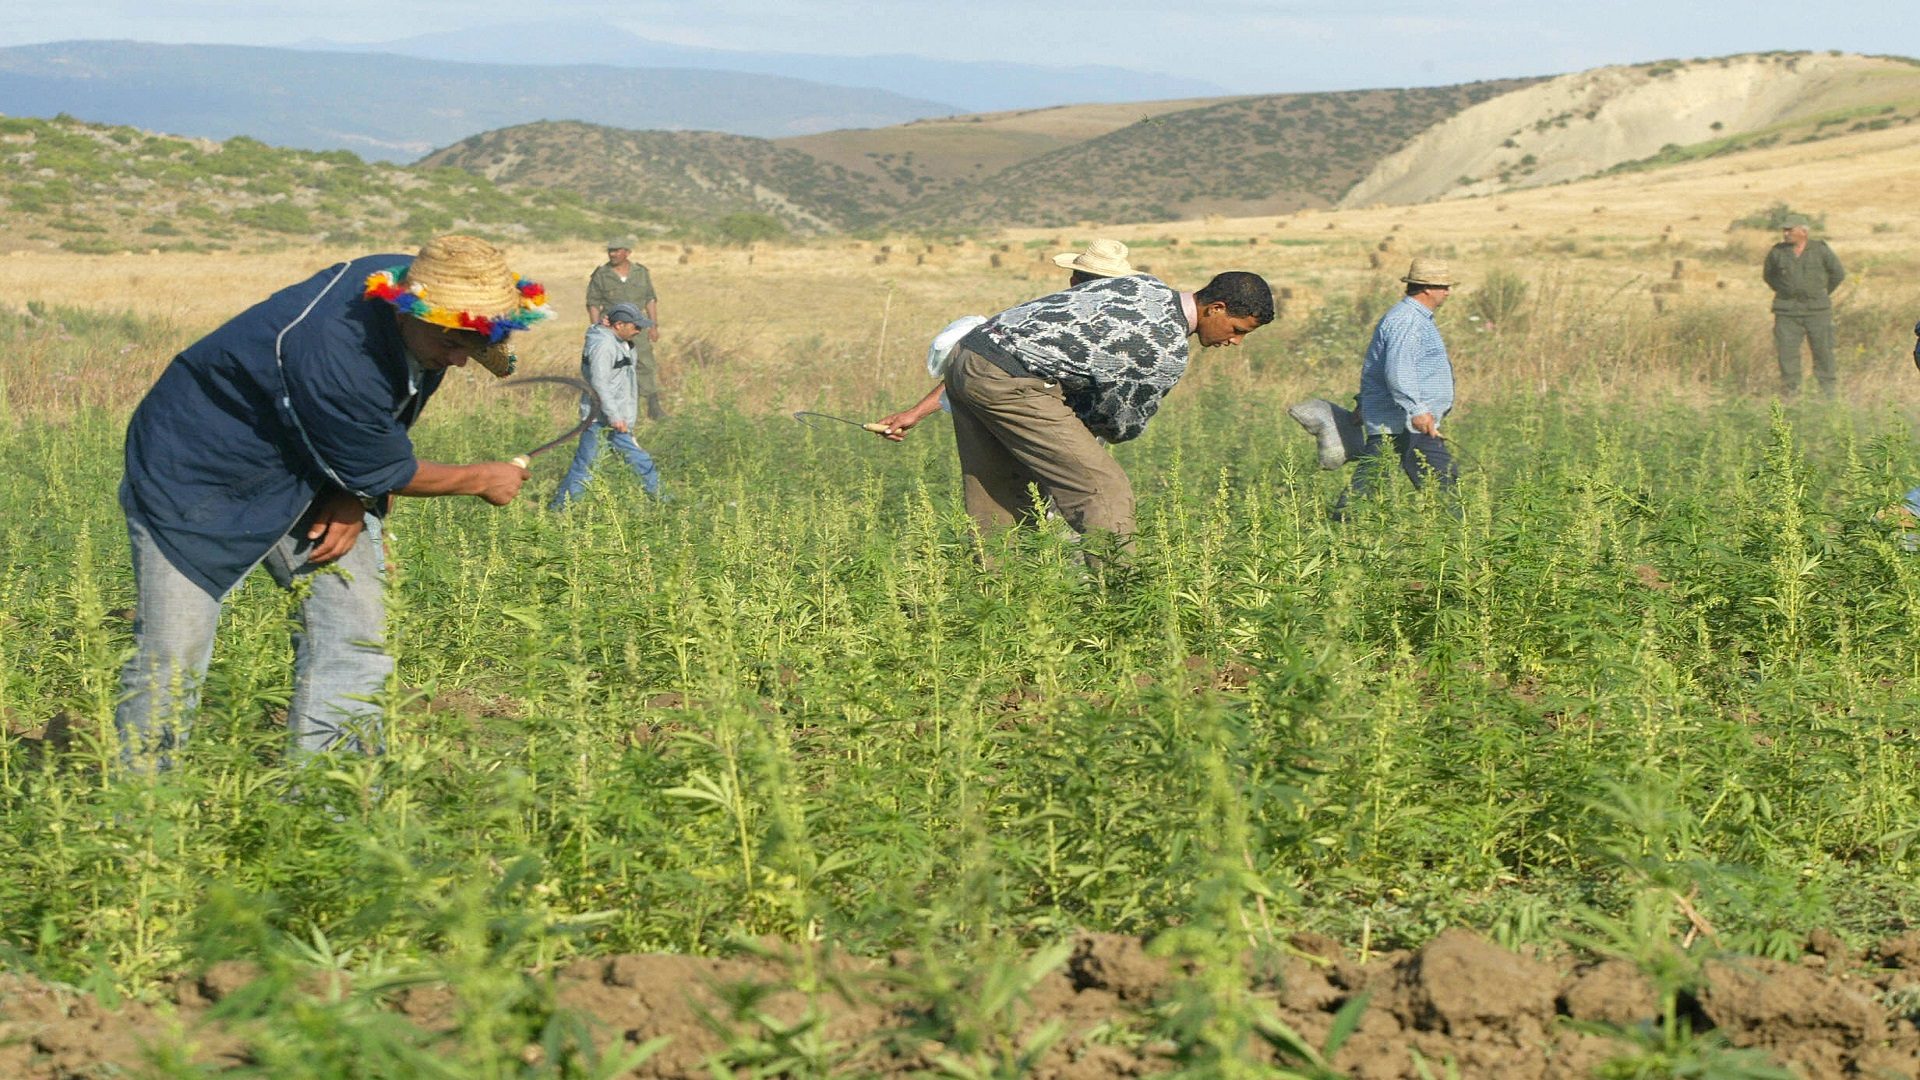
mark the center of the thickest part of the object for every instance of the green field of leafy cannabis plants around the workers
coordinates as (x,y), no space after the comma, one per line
(1643,695)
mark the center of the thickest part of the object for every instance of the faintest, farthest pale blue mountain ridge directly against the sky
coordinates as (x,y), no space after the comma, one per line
(971,86)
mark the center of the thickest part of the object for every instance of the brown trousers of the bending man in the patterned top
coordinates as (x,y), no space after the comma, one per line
(1020,431)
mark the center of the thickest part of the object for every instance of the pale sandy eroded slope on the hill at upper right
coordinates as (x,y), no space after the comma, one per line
(1581,124)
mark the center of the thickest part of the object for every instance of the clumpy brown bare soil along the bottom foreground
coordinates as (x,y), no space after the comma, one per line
(1460,998)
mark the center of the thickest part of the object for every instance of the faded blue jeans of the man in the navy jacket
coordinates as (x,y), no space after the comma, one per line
(339,656)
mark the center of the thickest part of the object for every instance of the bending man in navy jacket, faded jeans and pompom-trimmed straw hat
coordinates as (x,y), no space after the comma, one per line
(281,439)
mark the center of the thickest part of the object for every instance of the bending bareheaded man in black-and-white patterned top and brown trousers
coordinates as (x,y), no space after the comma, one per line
(1038,387)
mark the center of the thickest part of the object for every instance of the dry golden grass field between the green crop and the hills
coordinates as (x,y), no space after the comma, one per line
(842,324)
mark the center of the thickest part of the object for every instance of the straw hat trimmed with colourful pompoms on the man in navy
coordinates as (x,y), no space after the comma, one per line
(464,283)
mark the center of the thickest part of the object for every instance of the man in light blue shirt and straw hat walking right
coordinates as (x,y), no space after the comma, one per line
(1406,387)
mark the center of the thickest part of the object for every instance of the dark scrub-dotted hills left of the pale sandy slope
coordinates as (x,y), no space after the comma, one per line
(1257,155)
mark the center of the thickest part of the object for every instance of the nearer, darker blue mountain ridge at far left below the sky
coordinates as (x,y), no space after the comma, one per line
(396,109)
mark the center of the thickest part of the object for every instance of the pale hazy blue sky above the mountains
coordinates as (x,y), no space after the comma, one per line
(1243,45)
